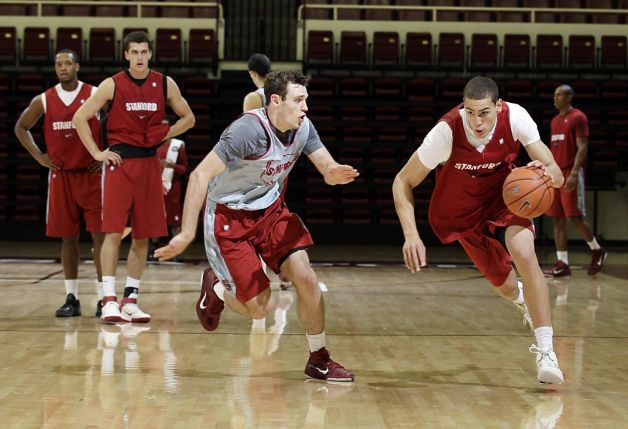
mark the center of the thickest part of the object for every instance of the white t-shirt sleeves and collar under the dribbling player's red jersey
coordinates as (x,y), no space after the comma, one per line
(437,144)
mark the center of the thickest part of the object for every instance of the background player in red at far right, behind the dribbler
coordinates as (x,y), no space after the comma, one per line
(570,132)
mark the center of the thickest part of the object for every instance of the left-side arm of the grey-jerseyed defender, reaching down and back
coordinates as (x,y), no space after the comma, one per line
(195,196)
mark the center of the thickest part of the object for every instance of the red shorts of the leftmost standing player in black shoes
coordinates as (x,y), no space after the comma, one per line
(69,193)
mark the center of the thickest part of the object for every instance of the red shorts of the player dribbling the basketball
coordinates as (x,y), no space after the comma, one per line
(485,249)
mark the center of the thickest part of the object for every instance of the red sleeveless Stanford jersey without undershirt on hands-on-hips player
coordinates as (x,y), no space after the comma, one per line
(137,110)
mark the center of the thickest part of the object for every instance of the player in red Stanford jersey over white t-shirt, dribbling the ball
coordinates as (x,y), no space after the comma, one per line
(472,149)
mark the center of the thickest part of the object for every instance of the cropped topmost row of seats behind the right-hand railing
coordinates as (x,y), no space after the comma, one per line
(565,11)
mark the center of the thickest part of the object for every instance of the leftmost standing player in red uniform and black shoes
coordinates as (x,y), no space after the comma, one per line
(74,176)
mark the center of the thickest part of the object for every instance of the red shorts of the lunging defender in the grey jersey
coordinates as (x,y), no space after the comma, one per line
(244,236)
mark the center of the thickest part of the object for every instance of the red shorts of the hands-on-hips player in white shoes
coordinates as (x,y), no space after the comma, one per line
(134,189)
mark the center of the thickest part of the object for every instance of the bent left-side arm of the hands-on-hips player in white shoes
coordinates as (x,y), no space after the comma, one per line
(89,109)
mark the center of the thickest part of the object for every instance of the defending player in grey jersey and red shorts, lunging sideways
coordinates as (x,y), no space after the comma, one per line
(246,217)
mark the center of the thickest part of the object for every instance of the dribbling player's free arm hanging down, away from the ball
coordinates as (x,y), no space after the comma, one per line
(410,176)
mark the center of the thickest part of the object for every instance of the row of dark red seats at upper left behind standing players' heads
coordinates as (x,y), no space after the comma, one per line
(36,47)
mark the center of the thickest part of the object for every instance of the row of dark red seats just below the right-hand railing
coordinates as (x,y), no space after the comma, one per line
(452,51)
